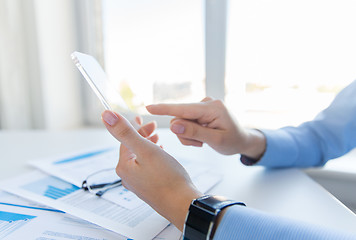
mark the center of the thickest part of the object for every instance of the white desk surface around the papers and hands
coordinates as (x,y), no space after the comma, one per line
(289,193)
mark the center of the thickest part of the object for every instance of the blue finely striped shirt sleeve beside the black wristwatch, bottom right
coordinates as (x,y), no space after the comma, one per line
(245,223)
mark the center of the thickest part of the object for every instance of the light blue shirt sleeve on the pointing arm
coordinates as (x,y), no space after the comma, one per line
(331,134)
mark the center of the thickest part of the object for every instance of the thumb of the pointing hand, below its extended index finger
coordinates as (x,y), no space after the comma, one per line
(194,131)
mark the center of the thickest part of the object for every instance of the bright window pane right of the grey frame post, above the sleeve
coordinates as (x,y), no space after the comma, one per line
(286,60)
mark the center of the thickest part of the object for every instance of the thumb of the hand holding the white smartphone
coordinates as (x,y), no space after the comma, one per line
(123,131)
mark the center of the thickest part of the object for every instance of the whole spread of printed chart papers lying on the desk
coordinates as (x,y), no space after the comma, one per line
(118,214)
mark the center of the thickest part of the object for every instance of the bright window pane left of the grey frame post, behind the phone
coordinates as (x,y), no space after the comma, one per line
(154,50)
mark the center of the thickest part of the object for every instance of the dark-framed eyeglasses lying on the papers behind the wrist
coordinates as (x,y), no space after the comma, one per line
(101,181)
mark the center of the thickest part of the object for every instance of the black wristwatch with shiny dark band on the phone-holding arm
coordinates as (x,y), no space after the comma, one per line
(202,216)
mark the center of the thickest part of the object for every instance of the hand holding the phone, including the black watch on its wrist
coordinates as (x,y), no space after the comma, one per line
(159,180)
